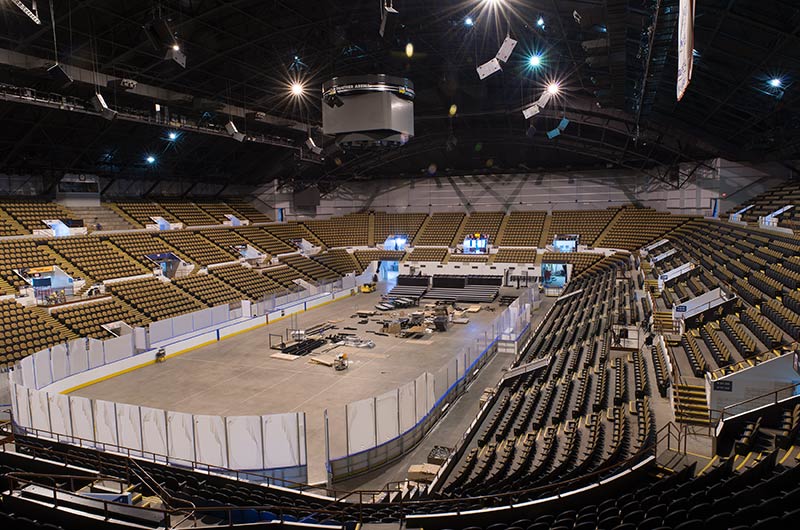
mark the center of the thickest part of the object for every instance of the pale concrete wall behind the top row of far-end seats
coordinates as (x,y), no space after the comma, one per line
(551,191)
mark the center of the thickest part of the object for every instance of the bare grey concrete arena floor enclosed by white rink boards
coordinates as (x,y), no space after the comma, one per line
(238,377)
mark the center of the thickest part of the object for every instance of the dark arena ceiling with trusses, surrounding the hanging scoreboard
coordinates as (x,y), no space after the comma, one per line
(242,56)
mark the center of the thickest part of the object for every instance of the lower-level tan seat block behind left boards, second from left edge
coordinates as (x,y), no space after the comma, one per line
(87,319)
